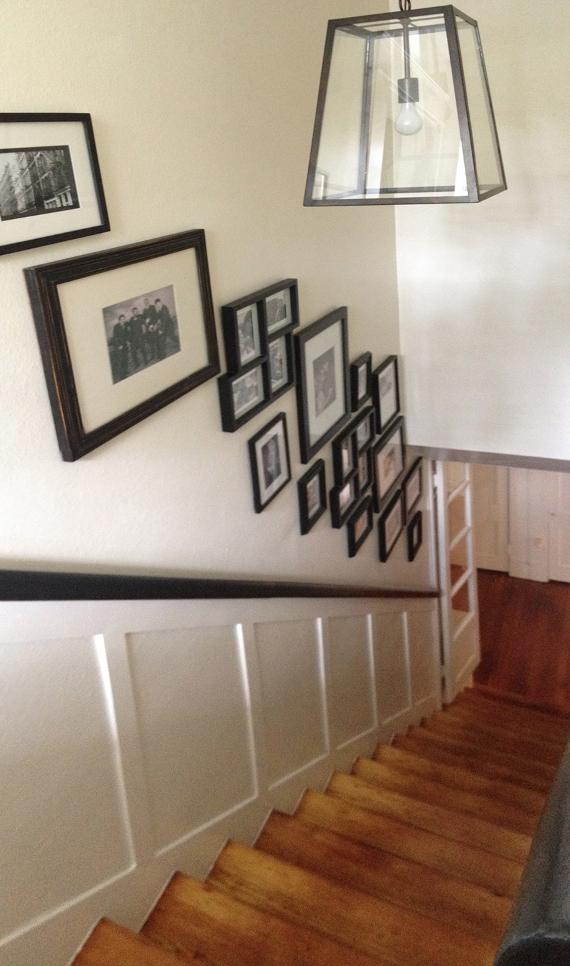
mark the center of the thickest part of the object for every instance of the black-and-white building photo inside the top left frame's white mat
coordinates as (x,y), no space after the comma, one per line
(36,181)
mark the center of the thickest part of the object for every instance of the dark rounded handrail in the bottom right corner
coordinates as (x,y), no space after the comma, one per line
(538,933)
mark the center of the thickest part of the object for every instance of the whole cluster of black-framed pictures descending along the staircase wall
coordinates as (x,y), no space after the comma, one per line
(154,319)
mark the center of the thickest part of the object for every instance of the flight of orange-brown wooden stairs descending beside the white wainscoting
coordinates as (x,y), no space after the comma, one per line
(412,859)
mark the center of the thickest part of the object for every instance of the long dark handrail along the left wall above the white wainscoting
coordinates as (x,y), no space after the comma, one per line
(47,585)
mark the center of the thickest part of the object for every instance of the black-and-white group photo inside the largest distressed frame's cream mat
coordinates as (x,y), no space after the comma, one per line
(141,332)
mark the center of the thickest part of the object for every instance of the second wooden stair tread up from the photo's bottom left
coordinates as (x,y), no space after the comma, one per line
(206,925)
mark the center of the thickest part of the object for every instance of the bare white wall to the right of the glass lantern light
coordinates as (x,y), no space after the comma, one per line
(485,289)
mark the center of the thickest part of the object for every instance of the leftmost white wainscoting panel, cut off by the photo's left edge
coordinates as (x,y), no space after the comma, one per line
(62,825)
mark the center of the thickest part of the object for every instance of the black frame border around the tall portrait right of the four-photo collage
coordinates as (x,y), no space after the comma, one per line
(302,337)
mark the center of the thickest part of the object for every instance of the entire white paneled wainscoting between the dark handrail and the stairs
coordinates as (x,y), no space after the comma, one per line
(137,736)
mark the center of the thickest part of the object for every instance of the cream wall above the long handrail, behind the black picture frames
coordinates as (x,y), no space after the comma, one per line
(203,114)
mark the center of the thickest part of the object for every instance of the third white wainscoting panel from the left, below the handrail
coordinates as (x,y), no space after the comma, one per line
(294,709)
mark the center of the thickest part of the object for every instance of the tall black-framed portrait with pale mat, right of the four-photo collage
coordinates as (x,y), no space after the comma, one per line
(321,353)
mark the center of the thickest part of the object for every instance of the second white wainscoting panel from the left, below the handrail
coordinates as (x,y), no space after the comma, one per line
(194,719)
